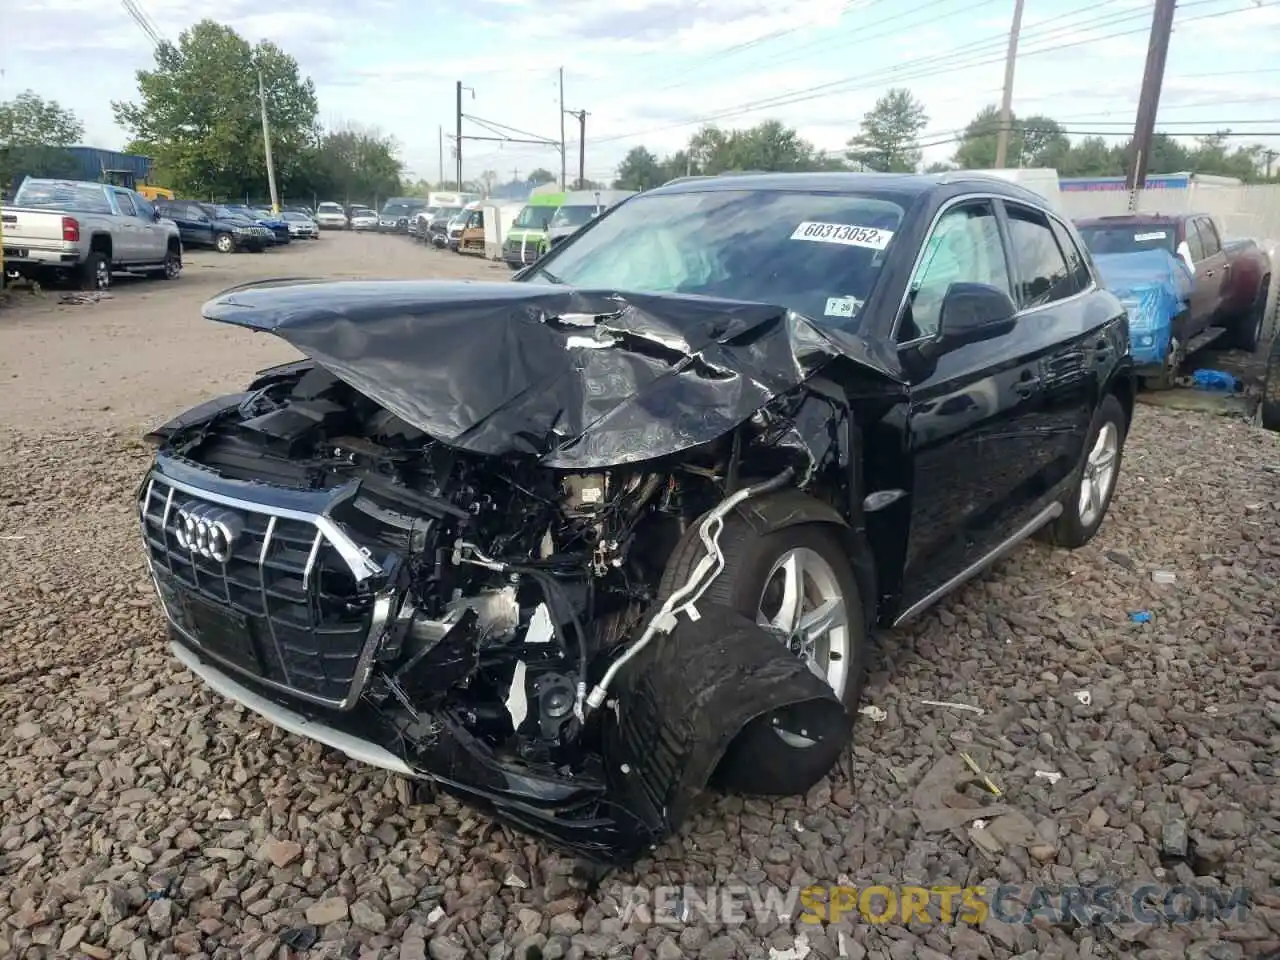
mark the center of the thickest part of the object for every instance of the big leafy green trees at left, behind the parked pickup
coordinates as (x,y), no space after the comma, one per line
(198,116)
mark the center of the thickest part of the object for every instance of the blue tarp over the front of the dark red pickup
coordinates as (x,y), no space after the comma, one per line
(1155,286)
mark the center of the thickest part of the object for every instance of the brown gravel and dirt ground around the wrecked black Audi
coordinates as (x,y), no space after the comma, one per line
(144,817)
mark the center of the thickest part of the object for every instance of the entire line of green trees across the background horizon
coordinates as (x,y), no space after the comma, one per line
(199,117)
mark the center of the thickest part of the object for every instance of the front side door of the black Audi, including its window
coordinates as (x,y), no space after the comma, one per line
(962,432)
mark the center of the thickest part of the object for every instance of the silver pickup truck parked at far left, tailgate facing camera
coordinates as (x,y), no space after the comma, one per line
(84,232)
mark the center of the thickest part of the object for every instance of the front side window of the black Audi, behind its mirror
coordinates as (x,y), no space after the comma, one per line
(964,248)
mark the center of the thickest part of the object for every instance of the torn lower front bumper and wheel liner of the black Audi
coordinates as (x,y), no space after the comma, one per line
(674,717)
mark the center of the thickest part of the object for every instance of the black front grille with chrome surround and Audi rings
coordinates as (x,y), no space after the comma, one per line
(285,609)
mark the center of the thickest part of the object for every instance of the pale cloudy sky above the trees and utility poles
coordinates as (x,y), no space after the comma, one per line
(650,71)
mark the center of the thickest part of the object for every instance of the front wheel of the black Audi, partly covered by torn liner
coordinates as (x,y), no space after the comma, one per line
(799,586)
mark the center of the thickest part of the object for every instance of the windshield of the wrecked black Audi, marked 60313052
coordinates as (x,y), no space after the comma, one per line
(817,254)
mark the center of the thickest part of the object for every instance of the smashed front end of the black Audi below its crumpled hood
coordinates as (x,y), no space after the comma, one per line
(515,632)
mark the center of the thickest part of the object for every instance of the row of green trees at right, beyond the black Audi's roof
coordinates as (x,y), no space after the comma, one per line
(892,139)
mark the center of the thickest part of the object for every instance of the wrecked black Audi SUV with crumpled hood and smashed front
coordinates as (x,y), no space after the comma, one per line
(586,545)
